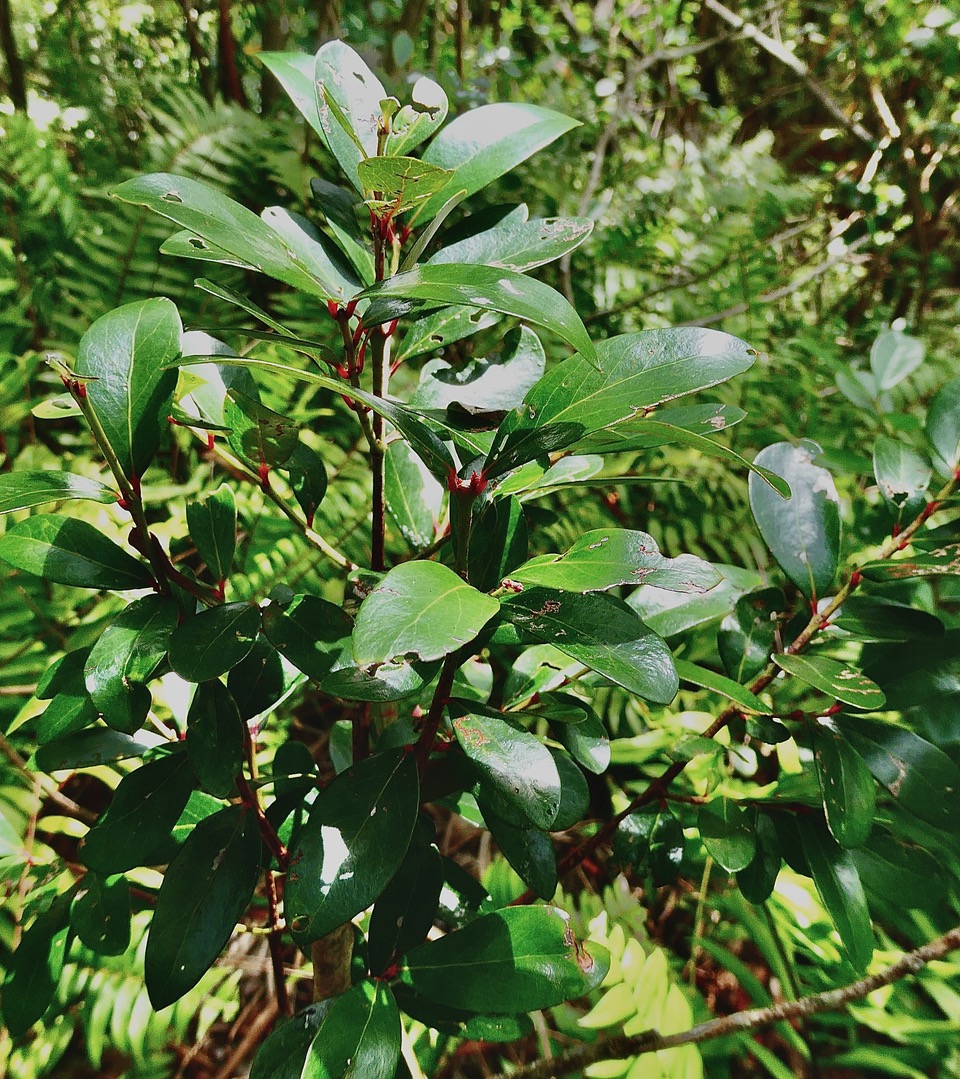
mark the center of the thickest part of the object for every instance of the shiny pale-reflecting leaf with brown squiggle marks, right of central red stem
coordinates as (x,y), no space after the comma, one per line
(517,772)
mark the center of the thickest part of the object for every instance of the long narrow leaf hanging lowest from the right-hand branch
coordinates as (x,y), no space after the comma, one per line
(839,883)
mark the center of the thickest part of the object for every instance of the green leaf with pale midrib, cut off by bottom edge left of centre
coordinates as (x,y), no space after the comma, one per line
(360,1037)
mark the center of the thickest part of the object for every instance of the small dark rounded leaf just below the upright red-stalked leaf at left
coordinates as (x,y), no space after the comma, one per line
(209,645)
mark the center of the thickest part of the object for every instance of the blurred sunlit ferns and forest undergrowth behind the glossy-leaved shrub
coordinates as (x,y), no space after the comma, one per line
(787,172)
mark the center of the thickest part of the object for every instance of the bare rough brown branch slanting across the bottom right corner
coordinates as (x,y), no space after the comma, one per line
(651,1042)
